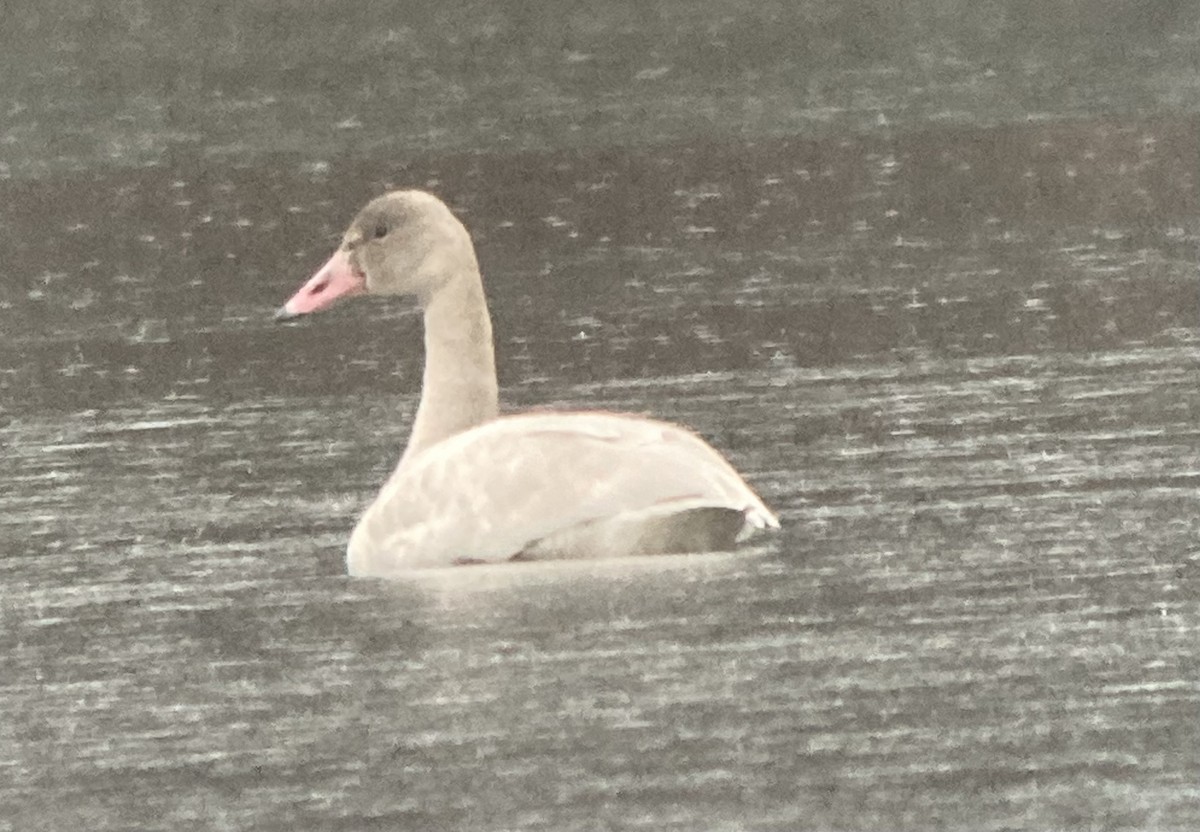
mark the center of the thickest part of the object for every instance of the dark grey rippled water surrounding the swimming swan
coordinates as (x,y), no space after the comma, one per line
(953,346)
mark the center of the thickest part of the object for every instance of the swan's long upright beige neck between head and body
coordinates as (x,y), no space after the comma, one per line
(460,390)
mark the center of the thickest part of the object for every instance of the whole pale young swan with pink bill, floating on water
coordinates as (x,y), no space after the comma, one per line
(476,487)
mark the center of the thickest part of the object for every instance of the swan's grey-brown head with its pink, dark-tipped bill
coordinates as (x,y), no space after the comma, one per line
(403,243)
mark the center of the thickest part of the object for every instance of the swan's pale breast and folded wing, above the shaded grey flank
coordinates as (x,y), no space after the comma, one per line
(487,494)
